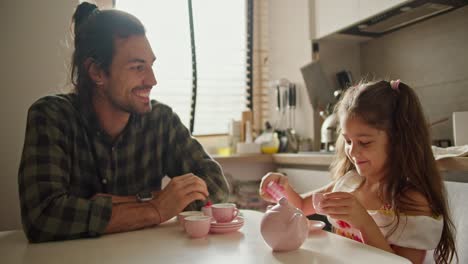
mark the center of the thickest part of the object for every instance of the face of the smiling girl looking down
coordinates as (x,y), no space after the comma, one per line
(365,146)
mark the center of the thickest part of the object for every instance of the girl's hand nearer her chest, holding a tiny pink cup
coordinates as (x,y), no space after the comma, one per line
(344,206)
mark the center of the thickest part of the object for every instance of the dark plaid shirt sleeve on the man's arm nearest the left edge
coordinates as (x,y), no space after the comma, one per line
(48,210)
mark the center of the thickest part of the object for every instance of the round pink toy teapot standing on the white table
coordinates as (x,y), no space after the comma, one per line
(284,227)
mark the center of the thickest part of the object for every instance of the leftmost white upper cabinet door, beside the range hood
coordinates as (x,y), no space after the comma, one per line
(333,15)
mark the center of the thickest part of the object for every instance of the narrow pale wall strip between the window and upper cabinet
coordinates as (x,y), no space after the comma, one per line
(289,50)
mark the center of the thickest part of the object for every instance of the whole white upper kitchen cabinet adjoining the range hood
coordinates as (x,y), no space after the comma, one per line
(331,16)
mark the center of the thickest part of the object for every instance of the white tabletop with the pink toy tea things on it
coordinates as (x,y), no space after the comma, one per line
(168,243)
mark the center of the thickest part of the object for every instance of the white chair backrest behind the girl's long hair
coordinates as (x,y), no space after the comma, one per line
(457,195)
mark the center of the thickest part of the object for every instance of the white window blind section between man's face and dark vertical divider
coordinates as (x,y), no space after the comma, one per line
(171,45)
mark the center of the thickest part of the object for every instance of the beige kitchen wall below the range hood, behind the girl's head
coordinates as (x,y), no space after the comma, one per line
(432,57)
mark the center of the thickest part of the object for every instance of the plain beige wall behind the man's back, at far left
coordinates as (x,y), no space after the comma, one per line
(34,49)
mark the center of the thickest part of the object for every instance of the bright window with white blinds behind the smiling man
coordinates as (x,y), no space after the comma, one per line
(220,41)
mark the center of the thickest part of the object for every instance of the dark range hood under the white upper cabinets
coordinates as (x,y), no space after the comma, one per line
(405,14)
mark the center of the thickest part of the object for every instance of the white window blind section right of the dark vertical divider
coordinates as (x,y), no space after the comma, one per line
(221,48)
